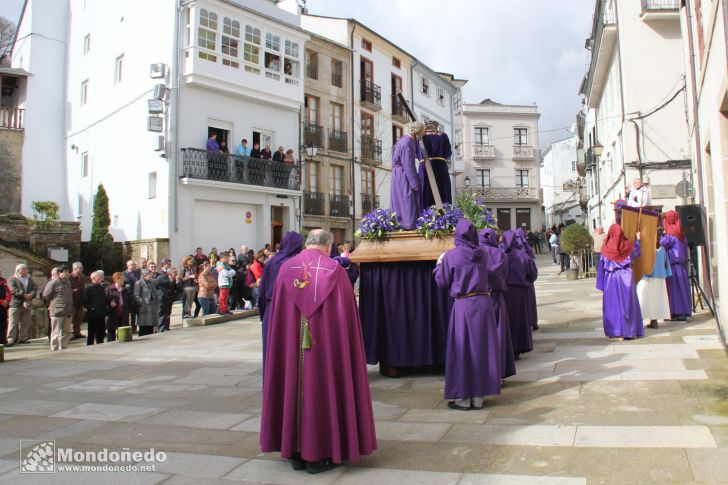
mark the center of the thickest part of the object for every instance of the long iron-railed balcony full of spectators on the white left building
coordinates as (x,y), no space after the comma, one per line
(222,167)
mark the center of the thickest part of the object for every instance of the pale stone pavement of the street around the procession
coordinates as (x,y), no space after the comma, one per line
(581,409)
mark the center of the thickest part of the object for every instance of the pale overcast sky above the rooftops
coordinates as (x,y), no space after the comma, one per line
(512,51)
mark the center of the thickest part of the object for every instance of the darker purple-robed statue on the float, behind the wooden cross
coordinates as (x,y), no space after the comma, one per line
(438,148)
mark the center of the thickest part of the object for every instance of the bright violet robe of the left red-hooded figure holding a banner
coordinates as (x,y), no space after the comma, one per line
(620,306)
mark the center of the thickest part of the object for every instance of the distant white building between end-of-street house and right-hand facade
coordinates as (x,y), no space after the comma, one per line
(560,183)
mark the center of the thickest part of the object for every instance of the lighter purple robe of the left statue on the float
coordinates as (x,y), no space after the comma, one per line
(405,186)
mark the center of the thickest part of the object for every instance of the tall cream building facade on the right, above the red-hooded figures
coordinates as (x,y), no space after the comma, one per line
(634,105)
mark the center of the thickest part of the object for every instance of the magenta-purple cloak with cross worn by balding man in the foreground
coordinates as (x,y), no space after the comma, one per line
(316,400)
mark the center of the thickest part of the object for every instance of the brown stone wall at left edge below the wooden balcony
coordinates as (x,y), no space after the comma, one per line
(11,149)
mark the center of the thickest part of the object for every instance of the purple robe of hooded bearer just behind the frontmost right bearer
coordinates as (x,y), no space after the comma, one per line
(497,277)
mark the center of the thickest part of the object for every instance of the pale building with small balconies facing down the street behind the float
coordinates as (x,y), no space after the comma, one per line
(501,161)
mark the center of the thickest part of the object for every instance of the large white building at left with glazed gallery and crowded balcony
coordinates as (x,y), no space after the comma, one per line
(232,68)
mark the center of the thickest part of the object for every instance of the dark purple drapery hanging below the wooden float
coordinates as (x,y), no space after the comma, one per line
(404,314)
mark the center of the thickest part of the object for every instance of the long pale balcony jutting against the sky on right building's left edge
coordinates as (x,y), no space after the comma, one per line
(602,44)
